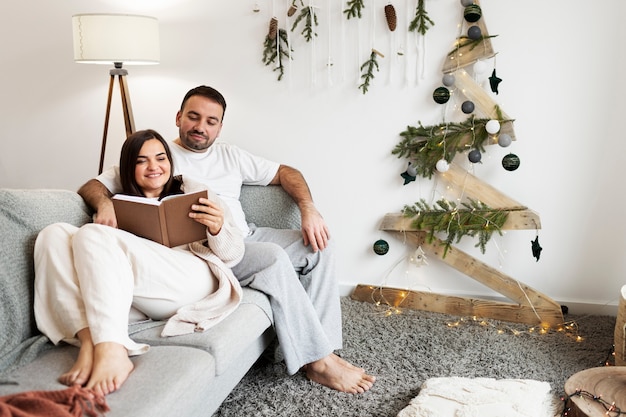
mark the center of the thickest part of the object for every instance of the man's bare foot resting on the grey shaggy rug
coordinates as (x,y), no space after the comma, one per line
(338,374)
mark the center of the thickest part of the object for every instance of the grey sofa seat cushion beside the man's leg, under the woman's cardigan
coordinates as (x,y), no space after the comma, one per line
(226,340)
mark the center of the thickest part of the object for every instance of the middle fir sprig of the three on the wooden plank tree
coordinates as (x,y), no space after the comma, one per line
(425,145)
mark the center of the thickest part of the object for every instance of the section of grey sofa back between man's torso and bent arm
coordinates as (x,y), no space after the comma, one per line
(269,206)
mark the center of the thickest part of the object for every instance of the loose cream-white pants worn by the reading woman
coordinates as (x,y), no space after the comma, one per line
(92,276)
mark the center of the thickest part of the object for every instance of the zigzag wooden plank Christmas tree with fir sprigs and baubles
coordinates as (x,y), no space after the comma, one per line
(430,151)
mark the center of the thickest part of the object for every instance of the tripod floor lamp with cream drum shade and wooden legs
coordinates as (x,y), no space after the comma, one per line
(116,39)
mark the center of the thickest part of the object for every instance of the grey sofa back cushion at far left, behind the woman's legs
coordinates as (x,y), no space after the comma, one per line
(23,213)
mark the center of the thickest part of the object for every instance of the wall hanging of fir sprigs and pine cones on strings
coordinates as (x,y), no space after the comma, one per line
(371,42)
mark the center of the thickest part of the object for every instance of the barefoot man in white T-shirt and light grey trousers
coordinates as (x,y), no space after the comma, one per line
(299,280)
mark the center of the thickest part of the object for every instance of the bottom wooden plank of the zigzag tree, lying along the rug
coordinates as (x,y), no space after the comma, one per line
(456,306)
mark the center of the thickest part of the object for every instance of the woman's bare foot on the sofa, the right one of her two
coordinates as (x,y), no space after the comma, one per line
(111,368)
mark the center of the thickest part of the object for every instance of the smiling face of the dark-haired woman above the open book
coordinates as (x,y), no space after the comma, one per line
(152,168)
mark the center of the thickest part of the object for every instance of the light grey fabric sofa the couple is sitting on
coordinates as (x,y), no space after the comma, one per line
(186,375)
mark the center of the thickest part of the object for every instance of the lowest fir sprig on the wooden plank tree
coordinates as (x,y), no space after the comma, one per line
(473,219)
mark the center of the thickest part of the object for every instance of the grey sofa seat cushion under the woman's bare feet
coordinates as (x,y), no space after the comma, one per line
(177,376)
